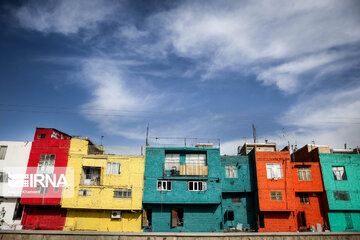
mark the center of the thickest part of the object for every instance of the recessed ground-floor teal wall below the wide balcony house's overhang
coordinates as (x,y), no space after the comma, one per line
(197,217)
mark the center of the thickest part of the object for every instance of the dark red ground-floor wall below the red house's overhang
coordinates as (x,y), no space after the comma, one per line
(43,217)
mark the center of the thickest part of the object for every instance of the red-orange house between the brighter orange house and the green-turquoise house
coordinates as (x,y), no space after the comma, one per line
(311,201)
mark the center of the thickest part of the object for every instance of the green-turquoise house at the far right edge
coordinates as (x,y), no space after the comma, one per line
(341,178)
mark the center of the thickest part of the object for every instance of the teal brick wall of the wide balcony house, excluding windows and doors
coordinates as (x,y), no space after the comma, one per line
(199,207)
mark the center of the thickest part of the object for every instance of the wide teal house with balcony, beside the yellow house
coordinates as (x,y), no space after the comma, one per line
(182,189)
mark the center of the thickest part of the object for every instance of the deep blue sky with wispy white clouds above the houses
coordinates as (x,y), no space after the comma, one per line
(188,68)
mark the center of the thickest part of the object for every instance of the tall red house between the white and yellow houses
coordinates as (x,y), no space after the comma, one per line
(49,154)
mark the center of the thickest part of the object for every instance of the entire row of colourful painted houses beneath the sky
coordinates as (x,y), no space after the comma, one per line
(178,189)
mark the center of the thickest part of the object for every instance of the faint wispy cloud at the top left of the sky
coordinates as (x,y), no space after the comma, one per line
(65,16)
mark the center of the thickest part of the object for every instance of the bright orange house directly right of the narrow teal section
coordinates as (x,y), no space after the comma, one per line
(276,196)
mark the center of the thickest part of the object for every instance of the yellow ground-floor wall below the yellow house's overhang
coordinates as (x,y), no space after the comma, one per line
(100,220)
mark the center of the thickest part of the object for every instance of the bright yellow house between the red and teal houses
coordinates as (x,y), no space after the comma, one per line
(106,193)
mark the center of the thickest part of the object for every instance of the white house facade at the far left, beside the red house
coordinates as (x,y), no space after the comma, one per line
(13,160)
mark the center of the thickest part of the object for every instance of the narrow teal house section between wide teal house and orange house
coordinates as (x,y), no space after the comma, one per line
(237,205)
